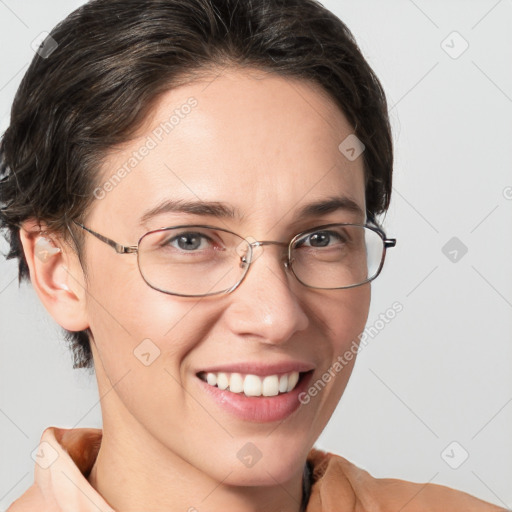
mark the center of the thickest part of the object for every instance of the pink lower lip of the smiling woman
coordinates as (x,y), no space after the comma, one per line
(258,409)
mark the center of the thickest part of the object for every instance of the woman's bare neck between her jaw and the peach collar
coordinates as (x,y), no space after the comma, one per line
(159,480)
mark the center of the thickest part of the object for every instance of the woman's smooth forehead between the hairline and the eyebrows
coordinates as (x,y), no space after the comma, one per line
(261,144)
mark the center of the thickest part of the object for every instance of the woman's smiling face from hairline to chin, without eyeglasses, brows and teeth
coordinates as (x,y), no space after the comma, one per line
(265,146)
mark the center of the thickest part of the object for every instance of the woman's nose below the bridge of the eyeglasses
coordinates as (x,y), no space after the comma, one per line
(266,304)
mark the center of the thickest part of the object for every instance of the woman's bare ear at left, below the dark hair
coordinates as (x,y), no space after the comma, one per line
(56,275)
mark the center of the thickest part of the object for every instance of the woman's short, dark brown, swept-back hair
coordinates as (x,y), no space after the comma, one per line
(115,57)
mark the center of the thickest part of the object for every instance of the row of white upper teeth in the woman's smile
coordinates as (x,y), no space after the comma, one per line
(253,385)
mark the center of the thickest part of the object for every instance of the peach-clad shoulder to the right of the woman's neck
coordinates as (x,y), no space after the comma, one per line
(337,482)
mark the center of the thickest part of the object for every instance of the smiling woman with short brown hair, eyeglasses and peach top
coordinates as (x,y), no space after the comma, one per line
(193,188)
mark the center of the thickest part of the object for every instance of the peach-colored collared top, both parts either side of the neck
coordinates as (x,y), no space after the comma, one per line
(66,456)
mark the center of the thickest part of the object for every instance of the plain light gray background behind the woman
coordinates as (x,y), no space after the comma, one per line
(440,371)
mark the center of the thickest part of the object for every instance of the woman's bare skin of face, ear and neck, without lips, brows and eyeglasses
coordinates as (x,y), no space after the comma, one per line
(267,145)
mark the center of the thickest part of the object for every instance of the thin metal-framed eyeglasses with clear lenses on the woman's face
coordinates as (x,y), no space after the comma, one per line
(201,260)
